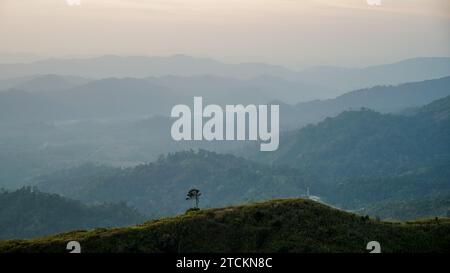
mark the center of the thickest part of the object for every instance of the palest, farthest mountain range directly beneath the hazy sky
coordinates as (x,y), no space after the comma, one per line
(334,79)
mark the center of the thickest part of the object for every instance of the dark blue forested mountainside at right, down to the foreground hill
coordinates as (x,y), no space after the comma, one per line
(363,157)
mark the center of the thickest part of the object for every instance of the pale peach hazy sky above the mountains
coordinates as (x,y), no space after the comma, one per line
(288,32)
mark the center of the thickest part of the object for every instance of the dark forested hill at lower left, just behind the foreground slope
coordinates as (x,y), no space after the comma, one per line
(27,213)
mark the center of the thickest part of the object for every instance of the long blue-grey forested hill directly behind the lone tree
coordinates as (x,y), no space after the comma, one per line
(159,188)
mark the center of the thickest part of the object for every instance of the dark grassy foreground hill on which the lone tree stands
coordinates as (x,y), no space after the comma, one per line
(290,225)
